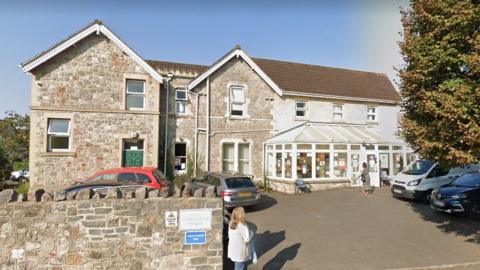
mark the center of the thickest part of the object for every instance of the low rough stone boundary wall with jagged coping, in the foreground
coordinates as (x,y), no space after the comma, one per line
(117,231)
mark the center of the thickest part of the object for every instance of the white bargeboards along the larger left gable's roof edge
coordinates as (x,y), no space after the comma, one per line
(98,27)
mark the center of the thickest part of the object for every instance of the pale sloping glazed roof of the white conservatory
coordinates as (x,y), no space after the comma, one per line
(315,132)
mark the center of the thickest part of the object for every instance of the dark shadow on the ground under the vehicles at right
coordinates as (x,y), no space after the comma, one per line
(449,224)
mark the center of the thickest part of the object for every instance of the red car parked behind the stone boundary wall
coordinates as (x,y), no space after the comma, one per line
(131,177)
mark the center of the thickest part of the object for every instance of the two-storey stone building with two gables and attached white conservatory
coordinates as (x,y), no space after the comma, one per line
(96,104)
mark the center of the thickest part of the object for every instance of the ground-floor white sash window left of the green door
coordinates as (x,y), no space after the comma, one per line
(58,135)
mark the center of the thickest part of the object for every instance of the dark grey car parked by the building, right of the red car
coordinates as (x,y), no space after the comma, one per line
(235,189)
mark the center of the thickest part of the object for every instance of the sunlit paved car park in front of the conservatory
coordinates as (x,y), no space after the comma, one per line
(341,229)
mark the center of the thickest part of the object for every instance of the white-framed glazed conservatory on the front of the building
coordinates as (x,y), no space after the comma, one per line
(332,154)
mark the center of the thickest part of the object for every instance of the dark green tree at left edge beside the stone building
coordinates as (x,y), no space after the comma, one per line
(14,135)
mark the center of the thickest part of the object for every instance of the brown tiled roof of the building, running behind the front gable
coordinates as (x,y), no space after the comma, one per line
(304,79)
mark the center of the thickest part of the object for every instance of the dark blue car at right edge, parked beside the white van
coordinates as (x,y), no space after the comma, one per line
(461,196)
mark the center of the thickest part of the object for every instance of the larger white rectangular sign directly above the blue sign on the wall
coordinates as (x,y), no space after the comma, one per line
(195,219)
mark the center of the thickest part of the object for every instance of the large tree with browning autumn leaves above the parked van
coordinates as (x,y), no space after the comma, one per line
(440,81)
